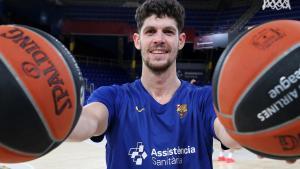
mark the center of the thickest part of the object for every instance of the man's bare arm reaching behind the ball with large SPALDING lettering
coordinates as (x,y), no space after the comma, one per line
(93,121)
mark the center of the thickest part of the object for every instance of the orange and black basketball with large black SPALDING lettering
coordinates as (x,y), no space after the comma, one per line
(40,93)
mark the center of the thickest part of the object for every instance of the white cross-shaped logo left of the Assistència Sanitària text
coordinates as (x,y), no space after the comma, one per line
(138,154)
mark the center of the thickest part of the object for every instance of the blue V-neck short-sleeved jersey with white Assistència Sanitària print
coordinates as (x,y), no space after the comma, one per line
(143,134)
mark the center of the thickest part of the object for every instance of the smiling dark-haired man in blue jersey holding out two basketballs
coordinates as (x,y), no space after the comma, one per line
(158,120)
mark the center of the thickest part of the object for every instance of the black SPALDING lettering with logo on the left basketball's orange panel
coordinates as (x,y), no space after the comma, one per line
(42,66)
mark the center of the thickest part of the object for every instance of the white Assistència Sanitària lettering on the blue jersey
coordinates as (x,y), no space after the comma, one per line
(171,156)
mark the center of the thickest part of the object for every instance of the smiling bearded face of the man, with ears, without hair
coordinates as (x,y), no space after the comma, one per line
(159,43)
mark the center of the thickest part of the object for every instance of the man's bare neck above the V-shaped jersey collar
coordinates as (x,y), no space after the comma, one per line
(161,86)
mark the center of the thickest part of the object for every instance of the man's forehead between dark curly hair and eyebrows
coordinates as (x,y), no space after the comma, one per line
(162,22)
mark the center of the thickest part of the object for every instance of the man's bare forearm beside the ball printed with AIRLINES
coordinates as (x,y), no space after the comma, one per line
(224,137)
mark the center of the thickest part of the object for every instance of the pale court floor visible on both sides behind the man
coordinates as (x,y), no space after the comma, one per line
(88,155)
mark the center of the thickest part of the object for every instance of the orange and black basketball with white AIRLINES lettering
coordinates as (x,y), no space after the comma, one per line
(256,88)
